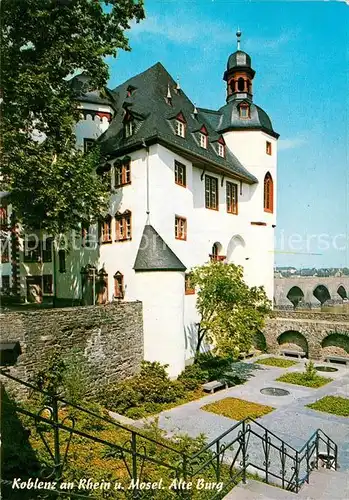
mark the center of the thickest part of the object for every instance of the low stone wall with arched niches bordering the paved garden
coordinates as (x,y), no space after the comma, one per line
(317,334)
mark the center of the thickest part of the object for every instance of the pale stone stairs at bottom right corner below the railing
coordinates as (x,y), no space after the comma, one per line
(323,485)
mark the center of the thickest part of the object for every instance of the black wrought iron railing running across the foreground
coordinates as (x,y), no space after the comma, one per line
(244,449)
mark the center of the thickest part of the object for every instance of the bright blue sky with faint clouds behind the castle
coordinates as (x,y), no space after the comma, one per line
(300,53)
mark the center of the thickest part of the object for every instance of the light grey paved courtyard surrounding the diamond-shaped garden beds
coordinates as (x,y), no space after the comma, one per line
(291,421)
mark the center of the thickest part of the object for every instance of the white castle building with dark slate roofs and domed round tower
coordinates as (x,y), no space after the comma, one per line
(187,185)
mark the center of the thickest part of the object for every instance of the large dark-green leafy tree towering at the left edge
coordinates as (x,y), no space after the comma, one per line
(53,186)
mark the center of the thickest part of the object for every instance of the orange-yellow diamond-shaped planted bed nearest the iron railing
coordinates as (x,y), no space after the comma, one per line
(237,409)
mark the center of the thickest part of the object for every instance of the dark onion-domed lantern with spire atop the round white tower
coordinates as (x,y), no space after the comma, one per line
(239,74)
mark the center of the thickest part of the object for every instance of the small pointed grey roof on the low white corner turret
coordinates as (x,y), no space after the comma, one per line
(155,255)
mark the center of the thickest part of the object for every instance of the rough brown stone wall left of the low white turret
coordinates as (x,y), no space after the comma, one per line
(110,338)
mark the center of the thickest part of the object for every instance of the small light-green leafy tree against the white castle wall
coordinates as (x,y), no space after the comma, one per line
(231,313)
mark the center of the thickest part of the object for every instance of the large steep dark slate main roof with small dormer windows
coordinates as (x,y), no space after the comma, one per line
(155,118)
